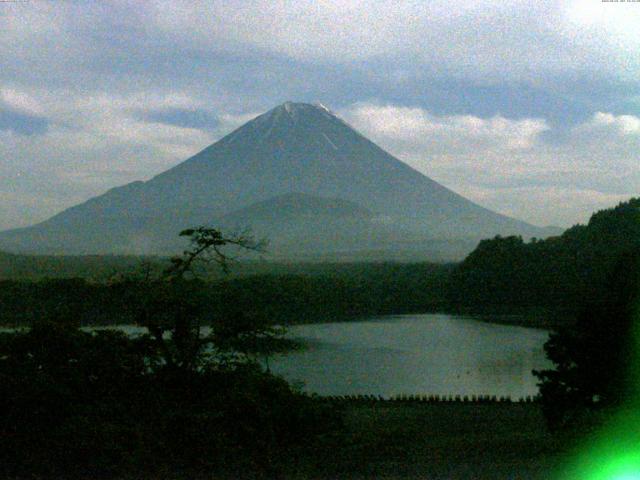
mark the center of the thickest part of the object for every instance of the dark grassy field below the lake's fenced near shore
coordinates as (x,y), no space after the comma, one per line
(443,441)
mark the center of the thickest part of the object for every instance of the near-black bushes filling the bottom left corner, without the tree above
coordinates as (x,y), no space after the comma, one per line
(103,405)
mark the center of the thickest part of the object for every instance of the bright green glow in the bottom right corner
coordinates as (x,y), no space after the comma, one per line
(613,453)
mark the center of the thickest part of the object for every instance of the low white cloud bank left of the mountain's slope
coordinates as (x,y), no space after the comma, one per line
(93,143)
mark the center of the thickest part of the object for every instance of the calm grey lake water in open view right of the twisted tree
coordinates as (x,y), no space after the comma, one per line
(415,354)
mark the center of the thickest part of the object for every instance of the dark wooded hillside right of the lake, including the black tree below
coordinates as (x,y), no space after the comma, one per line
(590,272)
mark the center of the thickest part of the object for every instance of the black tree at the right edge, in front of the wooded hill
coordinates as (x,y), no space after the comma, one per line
(595,361)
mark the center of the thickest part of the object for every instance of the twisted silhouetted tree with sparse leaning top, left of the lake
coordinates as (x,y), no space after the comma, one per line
(175,306)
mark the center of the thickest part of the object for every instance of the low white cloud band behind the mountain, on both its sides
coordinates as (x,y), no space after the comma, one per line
(97,142)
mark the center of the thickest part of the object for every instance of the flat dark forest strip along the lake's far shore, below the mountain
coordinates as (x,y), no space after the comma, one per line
(284,294)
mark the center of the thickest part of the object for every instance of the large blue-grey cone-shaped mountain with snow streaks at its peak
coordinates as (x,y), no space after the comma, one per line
(298,158)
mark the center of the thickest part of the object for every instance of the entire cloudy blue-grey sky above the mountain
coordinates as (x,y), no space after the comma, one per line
(531,108)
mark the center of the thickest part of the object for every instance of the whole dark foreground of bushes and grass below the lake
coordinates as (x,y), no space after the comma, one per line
(103,405)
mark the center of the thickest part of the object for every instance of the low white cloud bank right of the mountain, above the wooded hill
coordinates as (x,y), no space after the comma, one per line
(503,164)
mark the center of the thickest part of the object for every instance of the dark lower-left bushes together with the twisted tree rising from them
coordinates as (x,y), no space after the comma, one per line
(91,404)
